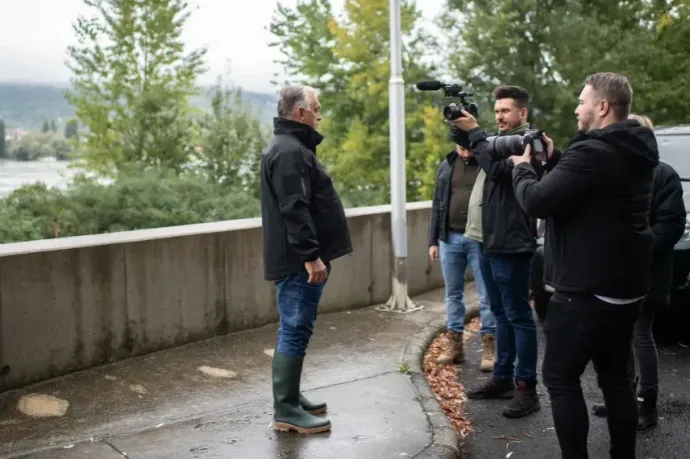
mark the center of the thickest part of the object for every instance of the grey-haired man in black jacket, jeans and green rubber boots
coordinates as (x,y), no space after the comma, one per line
(304,229)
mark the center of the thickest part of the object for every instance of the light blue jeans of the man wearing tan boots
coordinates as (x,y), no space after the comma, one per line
(455,255)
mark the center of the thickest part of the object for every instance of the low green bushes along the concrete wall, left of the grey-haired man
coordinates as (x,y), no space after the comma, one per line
(135,200)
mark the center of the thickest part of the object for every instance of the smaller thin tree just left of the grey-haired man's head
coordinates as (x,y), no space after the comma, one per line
(233,139)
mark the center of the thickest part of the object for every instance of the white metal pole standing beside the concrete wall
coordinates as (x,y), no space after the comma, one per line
(399,300)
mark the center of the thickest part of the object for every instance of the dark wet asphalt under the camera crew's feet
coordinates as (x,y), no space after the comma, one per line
(494,434)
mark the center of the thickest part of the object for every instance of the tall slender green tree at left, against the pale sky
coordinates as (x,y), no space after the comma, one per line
(131,84)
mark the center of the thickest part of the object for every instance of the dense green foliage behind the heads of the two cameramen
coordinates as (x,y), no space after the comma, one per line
(550,46)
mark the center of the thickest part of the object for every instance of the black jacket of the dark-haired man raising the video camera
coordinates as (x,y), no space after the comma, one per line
(506,228)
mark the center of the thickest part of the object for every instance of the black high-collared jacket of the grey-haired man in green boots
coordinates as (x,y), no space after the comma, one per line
(302,216)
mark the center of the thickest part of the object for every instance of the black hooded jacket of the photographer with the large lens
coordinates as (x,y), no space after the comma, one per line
(596,201)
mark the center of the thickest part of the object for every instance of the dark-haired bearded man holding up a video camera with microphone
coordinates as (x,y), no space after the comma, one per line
(508,237)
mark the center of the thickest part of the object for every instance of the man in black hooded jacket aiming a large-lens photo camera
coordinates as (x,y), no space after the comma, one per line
(598,254)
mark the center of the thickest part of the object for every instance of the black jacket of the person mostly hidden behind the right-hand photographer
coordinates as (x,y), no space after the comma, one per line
(667,219)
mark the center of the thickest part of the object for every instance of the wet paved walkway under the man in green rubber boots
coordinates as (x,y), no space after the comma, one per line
(213,399)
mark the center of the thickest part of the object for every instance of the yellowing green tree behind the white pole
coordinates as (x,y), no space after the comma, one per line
(348,60)
